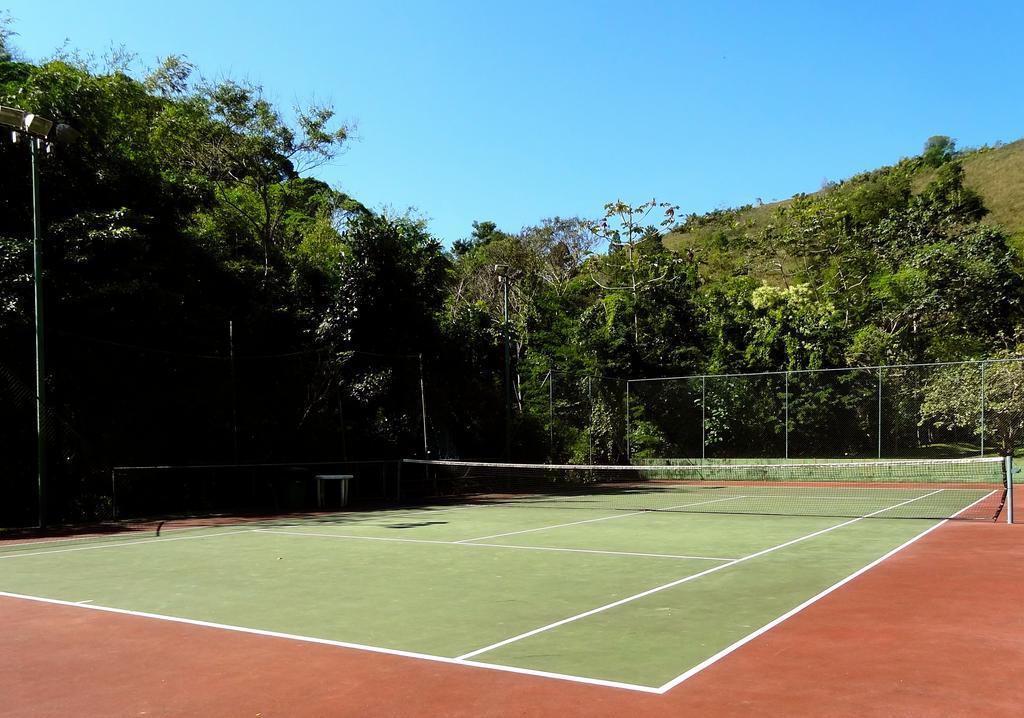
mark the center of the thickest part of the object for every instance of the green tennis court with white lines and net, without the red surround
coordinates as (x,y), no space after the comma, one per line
(630,580)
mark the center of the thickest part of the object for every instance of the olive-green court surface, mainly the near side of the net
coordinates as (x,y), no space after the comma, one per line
(633,599)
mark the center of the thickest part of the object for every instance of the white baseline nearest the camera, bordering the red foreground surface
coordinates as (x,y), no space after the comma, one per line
(340,645)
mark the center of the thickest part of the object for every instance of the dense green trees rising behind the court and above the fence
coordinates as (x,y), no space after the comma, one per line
(208,300)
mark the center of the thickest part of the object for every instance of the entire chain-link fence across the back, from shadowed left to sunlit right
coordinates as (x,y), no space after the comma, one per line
(114,405)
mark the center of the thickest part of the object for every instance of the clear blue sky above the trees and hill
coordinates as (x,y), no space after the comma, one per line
(516,112)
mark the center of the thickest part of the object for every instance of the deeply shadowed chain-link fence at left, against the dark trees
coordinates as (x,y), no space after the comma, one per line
(111,404)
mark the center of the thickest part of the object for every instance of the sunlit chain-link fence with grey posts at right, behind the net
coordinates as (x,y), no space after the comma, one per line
(912,411)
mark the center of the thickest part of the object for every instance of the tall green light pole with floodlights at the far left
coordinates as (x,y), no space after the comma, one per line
(38,132)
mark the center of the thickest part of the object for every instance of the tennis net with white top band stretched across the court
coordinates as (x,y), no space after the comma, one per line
(964,489)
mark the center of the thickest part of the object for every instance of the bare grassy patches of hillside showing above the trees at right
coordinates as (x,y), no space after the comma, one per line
(997,174)
